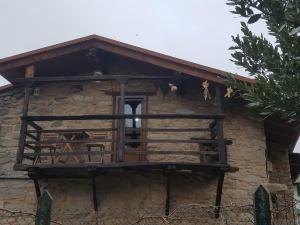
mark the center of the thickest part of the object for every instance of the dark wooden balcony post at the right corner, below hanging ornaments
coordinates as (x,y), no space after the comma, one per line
(220,132)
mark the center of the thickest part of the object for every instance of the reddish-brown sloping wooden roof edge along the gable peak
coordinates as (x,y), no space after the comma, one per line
(130,51)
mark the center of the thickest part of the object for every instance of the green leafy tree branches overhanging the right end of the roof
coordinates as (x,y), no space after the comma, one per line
(275,66)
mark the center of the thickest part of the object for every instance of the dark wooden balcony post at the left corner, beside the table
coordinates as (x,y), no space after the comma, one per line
(23,129)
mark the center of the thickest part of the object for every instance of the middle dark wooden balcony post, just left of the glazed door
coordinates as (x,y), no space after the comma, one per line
(121,122)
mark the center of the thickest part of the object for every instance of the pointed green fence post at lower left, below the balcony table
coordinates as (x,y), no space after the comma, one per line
(43,215)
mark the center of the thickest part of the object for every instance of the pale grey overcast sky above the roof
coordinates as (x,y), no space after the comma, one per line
(195,30)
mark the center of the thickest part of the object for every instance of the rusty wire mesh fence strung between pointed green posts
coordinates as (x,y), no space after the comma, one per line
(192,214)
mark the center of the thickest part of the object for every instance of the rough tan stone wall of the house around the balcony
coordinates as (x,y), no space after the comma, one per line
(130,191)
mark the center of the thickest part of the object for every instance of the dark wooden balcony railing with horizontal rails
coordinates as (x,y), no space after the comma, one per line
(109,141)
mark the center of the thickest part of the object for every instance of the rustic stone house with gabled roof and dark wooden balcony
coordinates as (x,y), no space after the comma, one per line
(106,125)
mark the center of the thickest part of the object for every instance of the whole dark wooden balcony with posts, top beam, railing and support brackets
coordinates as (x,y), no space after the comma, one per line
(85,146)
